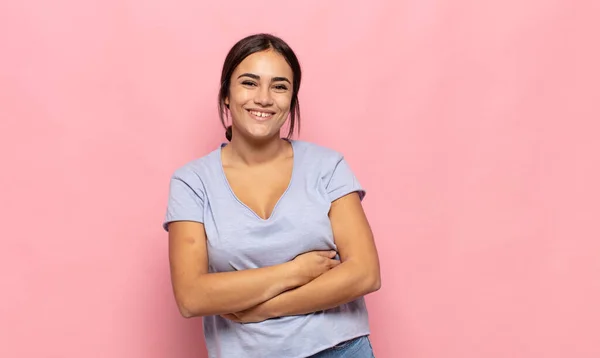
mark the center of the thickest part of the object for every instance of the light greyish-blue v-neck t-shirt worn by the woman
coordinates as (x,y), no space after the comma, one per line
(238,239)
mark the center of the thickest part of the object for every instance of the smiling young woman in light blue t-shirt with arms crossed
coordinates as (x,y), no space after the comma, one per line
(268,240)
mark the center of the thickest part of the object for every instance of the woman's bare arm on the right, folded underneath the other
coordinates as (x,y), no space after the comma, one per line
(356,276)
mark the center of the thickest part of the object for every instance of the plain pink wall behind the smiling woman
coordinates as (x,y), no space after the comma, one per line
(474,126)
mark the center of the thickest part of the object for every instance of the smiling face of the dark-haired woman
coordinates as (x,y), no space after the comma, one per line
(260,94)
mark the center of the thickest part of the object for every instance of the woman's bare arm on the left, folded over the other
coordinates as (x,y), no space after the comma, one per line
(199,293)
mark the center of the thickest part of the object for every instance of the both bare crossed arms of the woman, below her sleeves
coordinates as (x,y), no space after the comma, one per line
(287,289)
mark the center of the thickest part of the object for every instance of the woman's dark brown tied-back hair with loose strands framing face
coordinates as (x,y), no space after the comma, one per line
(246,47)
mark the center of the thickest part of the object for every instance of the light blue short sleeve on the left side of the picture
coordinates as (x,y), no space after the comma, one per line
(186,199)
